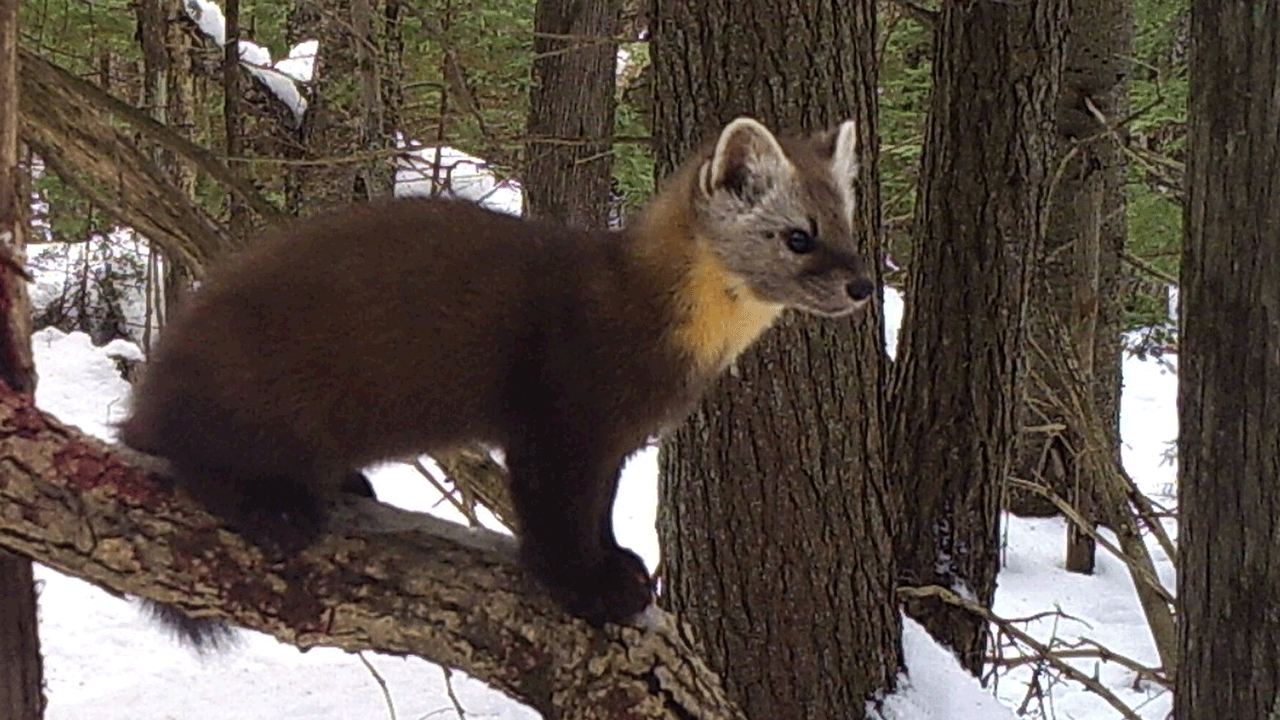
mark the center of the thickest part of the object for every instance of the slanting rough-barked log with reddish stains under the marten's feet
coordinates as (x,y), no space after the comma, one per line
(388,581)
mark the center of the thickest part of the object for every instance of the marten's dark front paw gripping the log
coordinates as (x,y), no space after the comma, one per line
(615,591)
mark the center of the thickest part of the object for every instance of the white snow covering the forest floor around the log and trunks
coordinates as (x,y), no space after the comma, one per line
(106,662)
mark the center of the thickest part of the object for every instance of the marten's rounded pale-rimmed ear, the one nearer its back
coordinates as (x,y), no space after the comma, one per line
(748,162)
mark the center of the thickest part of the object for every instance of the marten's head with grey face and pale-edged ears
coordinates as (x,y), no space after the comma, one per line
(780,216)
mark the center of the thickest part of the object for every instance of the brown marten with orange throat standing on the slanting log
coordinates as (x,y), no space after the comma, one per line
(413,325)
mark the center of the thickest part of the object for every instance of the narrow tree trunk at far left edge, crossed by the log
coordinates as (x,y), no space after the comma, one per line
(21,667)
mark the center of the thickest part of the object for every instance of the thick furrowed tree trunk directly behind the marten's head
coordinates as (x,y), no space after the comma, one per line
(774,512)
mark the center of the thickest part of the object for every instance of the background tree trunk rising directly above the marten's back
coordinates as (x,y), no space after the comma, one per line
(569,157)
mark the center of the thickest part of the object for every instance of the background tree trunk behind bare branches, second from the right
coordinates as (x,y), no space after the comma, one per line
(1077,285)
